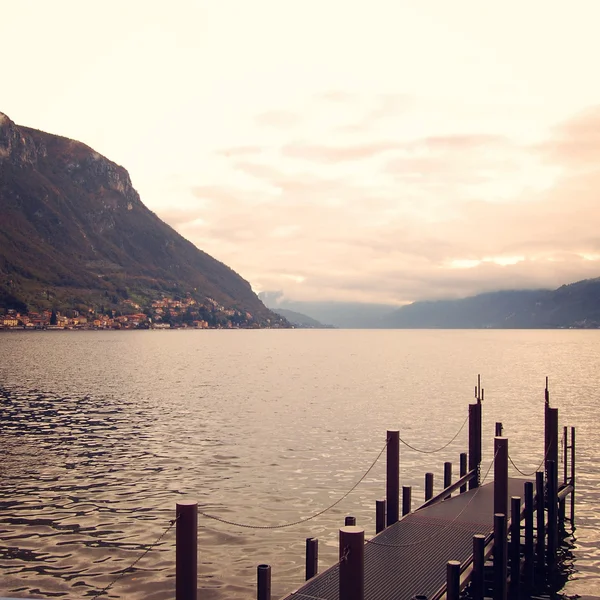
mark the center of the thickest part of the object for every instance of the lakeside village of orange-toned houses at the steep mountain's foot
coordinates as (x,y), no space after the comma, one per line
(167,313)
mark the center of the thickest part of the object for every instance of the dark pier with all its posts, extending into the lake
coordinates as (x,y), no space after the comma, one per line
(499,539)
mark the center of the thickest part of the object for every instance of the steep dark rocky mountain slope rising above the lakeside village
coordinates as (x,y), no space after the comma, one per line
(74,233)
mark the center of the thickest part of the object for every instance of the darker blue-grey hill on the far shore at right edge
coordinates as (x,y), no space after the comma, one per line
(574,305)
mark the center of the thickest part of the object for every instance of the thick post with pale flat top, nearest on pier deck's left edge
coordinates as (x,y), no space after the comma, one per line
(352,563)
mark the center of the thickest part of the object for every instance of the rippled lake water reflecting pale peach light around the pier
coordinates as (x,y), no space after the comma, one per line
(103,432)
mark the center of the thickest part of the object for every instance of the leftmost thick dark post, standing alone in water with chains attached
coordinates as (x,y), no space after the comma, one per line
(186,551)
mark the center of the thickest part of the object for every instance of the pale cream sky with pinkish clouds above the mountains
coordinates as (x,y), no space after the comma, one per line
(368,151)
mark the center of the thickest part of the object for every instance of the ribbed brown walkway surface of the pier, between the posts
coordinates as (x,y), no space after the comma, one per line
(409,558)
